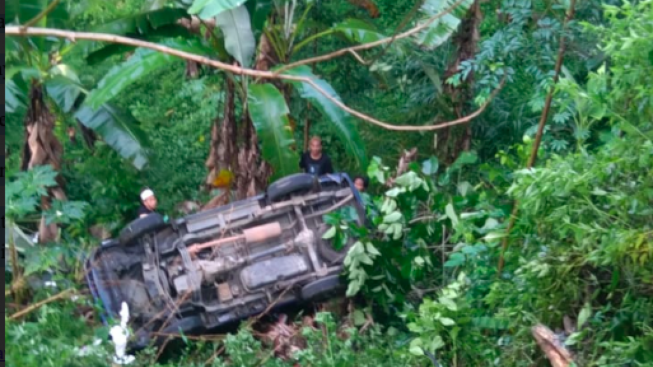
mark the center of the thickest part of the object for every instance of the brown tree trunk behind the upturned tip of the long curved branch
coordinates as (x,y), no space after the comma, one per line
(453,141)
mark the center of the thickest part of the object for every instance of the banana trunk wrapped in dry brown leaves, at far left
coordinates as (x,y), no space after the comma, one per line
(42,148)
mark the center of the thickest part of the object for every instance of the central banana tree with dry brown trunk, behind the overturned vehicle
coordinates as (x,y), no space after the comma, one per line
(264,34)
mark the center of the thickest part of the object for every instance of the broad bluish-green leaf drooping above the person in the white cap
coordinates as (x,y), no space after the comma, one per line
(118,129)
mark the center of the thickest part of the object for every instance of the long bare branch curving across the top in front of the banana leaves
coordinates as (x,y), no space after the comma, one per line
(17,31)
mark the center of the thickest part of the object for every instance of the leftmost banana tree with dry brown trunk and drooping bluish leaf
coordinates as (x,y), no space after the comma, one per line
(39,87)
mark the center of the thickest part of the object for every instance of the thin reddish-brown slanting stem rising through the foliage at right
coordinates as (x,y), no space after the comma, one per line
(540,130)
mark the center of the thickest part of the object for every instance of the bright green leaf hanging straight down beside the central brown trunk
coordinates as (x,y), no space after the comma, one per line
(269,113)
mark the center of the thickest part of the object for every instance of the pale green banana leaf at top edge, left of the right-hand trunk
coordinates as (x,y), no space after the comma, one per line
(442,28)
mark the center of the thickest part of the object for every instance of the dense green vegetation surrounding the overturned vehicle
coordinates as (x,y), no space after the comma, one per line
(443,272)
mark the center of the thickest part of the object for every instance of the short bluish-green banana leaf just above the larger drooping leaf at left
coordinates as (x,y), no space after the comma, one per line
(63,87)
